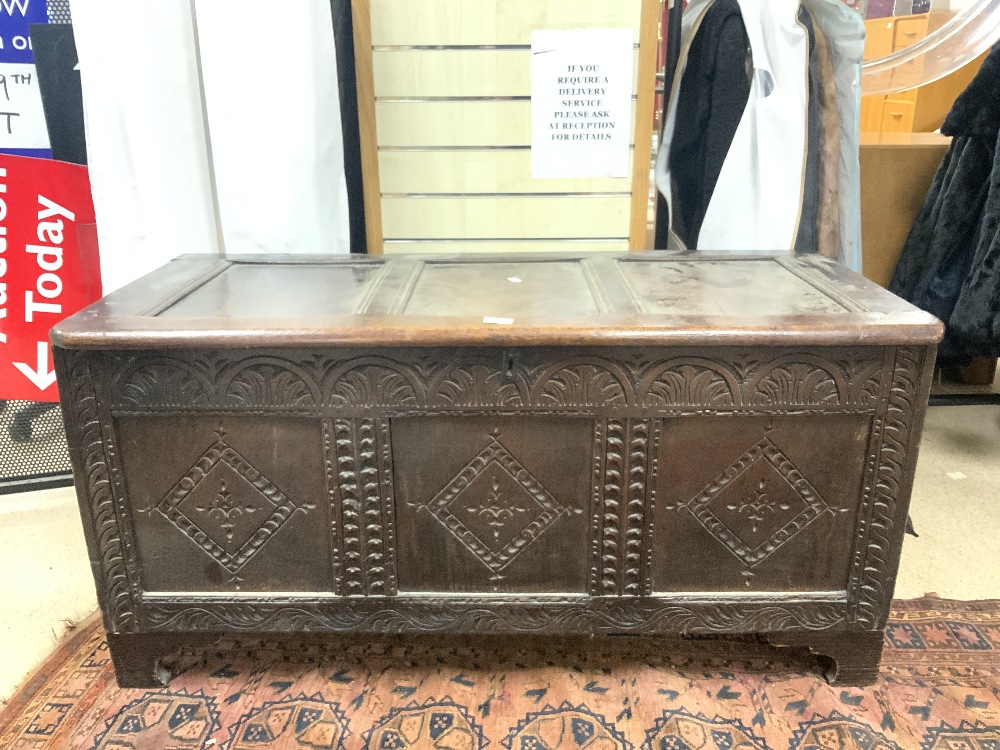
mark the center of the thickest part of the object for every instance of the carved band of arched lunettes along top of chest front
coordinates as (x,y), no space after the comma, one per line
(752,381)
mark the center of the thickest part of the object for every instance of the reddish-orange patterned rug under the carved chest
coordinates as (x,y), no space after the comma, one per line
(940,689)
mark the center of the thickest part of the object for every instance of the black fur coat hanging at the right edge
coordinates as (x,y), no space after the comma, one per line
(950,265)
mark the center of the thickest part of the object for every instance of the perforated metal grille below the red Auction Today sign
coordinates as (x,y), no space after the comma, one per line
(33,452)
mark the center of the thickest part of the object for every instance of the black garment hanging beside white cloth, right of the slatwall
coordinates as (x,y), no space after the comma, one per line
(713,95)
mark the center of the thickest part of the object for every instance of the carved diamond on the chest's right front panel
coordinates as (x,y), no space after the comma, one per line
(757,504)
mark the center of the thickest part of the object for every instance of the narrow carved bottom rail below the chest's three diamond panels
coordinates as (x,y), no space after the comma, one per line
(495,615)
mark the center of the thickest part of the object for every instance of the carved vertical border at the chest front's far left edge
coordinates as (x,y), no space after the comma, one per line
(93,481)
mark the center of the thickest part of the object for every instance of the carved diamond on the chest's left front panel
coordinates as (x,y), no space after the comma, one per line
(226,506)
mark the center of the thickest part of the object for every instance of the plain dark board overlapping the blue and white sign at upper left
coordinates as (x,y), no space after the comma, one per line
(62,95)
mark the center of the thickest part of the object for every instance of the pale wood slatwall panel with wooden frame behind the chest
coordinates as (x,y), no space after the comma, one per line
(449,87)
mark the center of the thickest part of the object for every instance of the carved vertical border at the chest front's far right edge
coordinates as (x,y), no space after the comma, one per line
(887,486)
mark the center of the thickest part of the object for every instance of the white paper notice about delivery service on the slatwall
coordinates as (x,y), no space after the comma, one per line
(581,102)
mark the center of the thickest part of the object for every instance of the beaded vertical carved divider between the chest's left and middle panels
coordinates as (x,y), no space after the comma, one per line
(359,481)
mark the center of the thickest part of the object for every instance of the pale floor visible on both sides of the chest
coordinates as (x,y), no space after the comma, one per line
(46,579)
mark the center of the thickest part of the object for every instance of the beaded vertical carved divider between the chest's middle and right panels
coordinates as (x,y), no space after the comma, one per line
(624,492)
